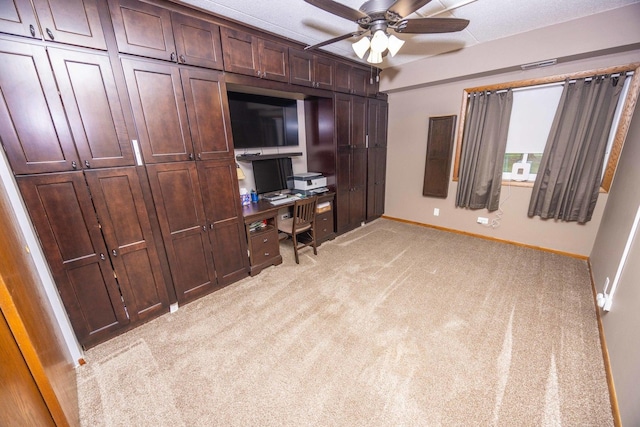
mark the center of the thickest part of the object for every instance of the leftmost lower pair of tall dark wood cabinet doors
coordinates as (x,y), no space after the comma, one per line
(107,270)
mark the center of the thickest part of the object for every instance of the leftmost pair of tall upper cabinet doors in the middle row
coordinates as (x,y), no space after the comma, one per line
(92,126)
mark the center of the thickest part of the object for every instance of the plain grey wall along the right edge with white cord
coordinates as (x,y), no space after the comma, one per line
(620,324)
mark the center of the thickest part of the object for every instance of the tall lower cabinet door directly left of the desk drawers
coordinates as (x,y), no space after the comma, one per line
(224,216)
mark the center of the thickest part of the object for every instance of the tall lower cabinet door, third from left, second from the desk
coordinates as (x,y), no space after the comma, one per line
(176,194)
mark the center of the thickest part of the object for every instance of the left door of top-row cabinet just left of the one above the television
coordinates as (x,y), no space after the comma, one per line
(143,29)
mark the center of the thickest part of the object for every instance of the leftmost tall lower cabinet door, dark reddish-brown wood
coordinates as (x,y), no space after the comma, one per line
(63,215)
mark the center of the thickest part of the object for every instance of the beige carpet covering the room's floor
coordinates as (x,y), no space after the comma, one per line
(390,325)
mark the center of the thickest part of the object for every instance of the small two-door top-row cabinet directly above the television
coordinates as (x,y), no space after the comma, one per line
(247,54)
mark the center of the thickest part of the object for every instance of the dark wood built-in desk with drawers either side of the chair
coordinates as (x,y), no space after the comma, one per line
(263,243)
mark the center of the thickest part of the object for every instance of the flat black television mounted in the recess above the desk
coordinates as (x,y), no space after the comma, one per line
(262,121)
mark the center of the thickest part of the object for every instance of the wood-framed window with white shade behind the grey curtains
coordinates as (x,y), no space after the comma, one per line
(534,107)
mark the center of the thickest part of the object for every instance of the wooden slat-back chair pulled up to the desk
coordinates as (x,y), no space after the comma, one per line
(302,221)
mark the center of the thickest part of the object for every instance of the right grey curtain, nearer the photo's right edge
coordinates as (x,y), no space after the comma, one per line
(570,172)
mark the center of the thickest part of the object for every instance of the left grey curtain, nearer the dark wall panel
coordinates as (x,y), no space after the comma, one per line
(483,147)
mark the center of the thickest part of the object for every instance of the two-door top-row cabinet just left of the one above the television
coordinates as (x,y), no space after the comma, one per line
(147,30)
